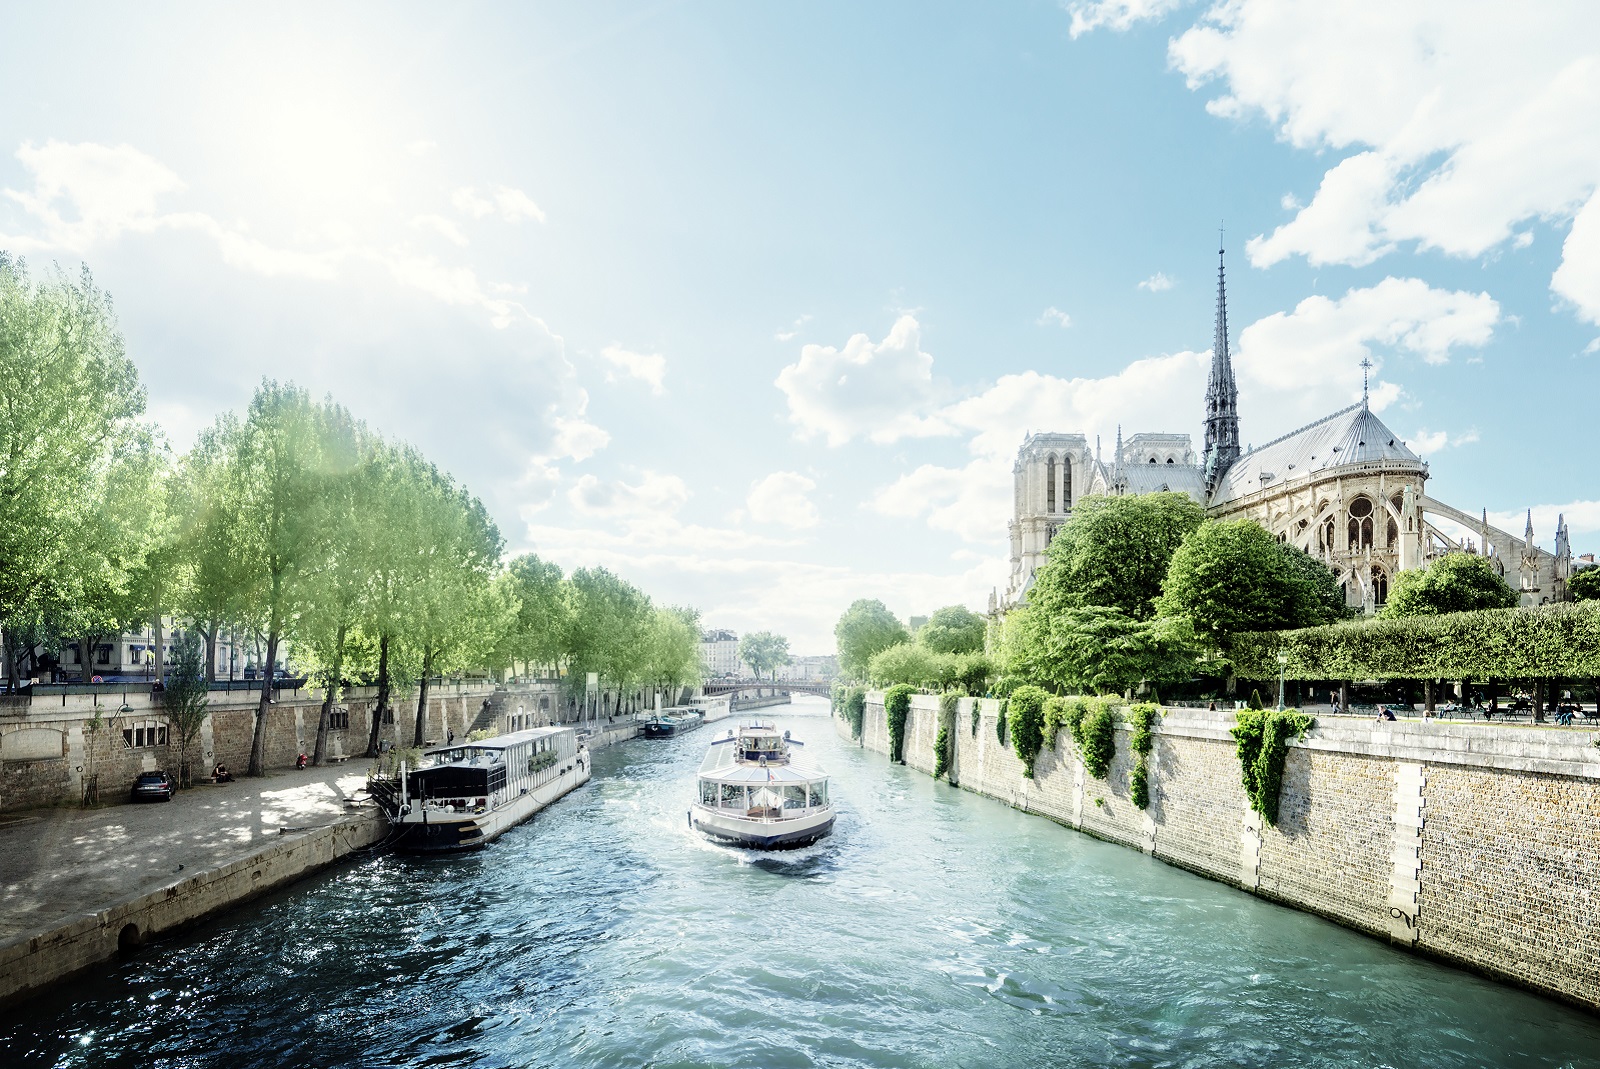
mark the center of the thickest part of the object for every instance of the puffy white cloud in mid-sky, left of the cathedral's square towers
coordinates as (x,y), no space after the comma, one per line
(866,390)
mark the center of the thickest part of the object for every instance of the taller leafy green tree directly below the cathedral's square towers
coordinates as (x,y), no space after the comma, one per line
(1116,553)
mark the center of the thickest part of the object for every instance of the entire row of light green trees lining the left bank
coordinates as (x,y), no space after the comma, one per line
(295,524)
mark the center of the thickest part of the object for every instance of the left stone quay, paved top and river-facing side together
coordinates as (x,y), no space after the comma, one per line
(81,886)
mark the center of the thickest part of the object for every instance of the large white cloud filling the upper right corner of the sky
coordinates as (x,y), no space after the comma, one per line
(1454,124)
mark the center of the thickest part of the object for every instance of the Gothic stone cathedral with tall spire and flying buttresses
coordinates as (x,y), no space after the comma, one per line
(1345,489)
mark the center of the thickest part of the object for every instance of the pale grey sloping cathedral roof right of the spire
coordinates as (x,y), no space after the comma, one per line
(1351,436)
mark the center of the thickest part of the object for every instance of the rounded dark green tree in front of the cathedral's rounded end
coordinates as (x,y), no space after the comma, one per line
(1233,577)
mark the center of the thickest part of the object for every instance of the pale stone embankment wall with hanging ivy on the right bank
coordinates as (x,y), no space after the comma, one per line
(1474,844)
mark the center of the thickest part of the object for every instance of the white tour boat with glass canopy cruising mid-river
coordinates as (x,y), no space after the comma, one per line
(753,793)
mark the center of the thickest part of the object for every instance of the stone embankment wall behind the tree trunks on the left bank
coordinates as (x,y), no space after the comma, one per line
(52,745)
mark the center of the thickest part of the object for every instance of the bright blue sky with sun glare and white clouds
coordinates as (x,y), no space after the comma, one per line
(756,303)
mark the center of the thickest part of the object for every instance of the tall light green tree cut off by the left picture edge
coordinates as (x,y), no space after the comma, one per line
(73,399)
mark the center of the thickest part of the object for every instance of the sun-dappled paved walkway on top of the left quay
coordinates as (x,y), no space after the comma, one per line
(62,863)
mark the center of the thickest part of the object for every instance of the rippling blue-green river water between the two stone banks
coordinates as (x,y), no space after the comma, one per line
(932,929)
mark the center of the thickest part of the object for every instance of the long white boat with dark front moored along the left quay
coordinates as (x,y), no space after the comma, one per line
(468,795)
